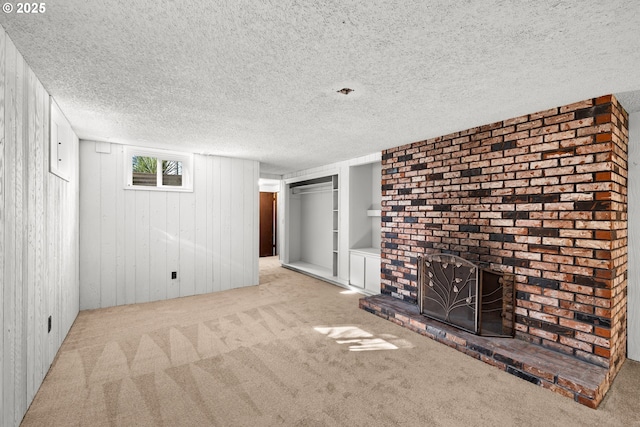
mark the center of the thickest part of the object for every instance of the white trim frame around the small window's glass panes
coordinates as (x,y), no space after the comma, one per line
(185,158)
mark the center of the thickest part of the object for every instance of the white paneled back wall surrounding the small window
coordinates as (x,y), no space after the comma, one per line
(131,240)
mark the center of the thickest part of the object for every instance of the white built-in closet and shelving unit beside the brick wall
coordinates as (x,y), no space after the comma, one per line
(332,227)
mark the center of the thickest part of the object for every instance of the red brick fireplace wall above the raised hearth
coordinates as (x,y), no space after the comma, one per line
(543,196)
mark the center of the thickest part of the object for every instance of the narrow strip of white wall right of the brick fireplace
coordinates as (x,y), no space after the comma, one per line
(633,286)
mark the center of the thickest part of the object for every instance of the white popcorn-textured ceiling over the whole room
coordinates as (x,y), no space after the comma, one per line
(259,79)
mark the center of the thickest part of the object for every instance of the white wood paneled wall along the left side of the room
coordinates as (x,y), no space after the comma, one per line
(38,238)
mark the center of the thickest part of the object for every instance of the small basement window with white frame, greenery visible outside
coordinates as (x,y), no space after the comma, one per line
(149,169)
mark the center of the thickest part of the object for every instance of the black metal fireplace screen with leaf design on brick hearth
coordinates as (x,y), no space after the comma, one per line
(458,292)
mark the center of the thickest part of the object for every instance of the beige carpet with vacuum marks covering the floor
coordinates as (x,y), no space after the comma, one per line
(292,351)
